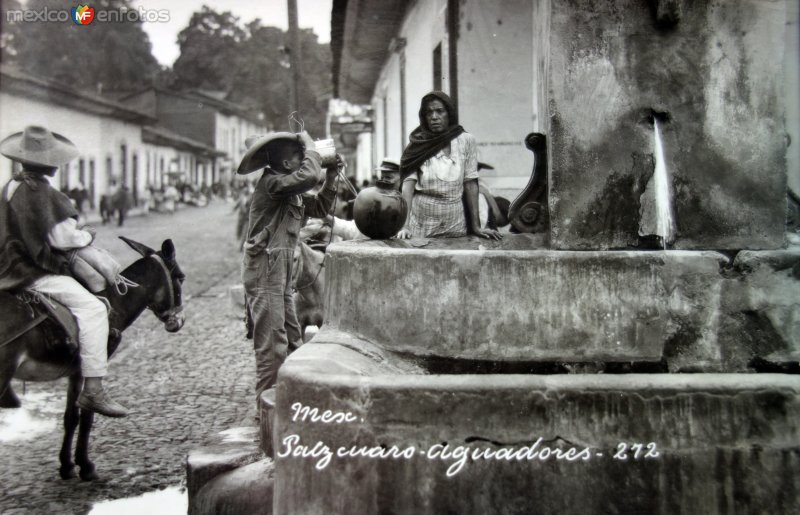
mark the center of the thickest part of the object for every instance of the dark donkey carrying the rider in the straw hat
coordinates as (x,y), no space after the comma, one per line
(40,354)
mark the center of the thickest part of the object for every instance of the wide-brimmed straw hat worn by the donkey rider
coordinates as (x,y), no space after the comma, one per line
(38,146)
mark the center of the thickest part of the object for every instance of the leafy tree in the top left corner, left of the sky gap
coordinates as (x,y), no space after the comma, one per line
(116,55)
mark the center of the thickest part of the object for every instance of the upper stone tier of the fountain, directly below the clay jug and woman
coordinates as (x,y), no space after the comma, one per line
(474,299)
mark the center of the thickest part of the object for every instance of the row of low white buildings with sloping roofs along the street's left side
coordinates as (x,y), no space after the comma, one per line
(120,143)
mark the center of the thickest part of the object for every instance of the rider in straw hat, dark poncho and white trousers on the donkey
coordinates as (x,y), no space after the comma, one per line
(38,229)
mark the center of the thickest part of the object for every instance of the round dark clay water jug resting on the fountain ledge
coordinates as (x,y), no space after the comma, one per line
(380,211)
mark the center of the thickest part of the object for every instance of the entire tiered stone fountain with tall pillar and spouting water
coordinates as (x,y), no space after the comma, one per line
(617,362)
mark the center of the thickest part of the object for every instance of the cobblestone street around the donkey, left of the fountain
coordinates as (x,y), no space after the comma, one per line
(182,388)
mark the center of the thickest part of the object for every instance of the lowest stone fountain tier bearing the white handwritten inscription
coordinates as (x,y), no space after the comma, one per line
(725,442)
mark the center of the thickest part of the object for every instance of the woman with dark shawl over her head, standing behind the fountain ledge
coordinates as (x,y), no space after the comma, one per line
(440,175)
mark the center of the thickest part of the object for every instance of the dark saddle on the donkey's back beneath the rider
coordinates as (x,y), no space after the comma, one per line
(22,311)
